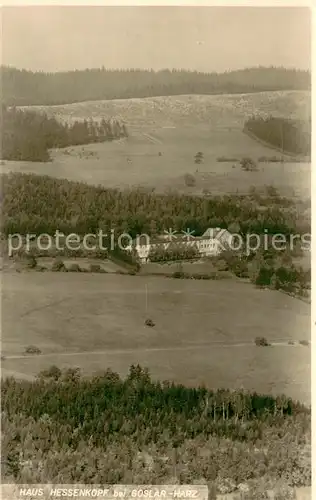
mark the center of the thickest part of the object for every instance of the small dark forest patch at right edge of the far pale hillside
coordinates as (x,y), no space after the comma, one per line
(287,135)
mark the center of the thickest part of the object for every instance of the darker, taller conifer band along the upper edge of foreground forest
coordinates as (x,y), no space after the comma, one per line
(66,397)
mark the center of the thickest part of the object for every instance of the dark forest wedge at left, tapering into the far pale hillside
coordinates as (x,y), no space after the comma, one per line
(29,136)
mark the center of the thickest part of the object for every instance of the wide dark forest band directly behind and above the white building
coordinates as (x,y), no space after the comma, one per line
(80,208)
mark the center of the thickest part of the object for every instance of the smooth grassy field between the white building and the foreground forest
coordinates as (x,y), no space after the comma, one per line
(204,331)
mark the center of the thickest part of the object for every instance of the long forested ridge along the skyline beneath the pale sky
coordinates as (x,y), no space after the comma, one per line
(22,87)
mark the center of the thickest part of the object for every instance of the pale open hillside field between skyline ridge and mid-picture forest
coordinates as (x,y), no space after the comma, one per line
(178,127)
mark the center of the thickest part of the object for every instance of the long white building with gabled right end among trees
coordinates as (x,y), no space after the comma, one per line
(211,243)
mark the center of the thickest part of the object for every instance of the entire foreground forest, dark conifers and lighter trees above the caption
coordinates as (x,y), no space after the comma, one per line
(64,428)
